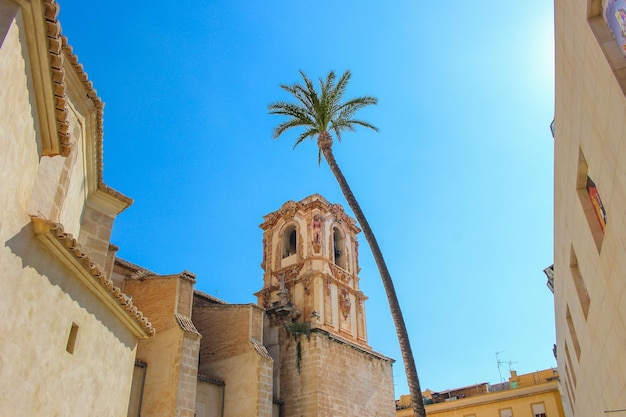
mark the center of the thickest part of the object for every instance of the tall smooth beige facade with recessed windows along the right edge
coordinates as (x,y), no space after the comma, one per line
(590,204)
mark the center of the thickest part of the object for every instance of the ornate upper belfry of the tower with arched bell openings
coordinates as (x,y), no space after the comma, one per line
(310,264)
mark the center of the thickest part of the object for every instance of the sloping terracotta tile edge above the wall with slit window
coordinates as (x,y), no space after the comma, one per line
(43,226)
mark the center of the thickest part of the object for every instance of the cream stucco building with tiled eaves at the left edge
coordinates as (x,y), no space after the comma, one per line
(69,335)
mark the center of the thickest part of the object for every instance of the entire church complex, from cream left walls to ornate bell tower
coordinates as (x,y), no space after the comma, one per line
(87,333)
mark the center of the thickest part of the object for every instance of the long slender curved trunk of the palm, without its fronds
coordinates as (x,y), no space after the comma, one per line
(325,142)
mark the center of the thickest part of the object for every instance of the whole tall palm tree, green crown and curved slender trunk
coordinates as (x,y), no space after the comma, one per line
(321,112)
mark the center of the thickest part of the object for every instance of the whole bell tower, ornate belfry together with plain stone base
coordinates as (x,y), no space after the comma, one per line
(315,329)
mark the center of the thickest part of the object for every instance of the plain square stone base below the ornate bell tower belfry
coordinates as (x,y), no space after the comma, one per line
(326,377)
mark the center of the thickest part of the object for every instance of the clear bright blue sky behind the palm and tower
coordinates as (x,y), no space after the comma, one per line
(458,184)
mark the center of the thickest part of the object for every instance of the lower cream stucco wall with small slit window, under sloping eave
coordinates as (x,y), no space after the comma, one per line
(40,300)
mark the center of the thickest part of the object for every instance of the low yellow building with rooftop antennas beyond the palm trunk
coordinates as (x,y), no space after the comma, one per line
(528,395)
